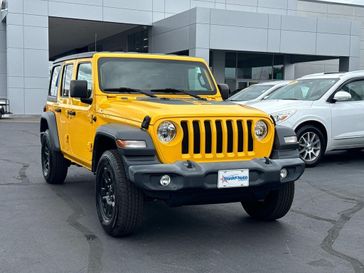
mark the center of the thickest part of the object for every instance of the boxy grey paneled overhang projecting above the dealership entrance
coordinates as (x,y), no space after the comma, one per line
(216,29)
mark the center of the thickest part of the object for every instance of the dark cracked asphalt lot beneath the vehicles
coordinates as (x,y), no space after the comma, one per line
(45,228)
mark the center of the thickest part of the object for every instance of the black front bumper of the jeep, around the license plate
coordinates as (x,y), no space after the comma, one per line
(203,176)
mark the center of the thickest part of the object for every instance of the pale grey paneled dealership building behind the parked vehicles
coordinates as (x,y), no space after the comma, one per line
(244,41)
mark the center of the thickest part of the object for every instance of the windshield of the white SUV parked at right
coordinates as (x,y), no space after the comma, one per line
(305,89)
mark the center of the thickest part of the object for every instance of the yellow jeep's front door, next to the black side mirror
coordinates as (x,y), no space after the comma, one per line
(81,126)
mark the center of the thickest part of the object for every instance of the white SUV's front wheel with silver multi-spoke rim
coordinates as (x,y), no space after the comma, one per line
(312,145)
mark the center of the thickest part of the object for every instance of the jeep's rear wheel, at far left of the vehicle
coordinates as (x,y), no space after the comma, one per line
(54,165)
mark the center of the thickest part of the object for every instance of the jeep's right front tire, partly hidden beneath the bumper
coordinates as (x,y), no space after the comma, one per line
(276,204)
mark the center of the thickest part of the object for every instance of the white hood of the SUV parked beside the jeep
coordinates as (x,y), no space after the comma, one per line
(273,106)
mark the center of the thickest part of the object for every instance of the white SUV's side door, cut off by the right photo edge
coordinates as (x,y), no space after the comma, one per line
(348,117)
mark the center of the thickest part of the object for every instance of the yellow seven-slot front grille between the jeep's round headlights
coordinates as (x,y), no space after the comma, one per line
(217,138)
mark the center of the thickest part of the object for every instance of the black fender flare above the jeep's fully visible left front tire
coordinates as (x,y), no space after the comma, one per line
(113,132)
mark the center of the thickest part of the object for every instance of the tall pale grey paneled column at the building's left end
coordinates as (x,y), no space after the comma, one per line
(27,55)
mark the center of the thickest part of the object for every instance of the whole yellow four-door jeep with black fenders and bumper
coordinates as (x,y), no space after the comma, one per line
(156,127)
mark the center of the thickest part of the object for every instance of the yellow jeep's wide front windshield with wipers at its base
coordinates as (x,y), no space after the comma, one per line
(150,74)
